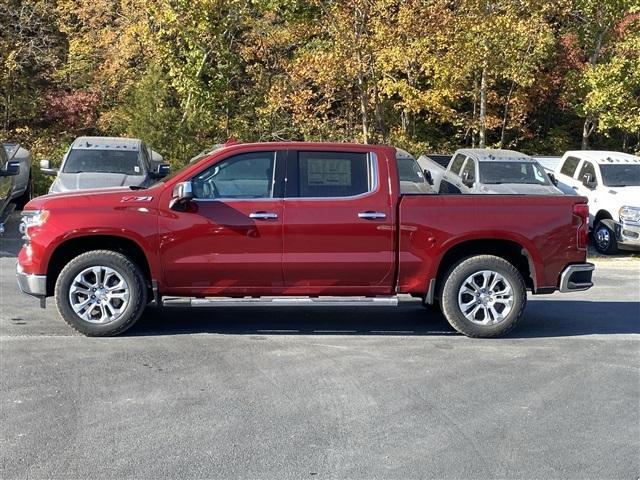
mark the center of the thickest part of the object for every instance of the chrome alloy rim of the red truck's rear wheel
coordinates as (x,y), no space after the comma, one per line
(486,297)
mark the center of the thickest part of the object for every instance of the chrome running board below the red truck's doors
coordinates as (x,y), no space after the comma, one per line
(282,302)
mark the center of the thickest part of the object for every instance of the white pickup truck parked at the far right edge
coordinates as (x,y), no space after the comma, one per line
(611,182)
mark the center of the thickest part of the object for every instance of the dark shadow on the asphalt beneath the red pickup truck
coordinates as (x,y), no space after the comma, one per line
(543,318)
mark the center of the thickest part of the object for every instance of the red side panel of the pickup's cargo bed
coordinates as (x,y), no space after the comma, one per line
(431,225)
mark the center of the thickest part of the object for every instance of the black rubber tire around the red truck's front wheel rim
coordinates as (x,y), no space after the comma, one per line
(126,269)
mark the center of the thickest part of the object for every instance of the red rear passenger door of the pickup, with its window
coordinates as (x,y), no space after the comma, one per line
(338,223)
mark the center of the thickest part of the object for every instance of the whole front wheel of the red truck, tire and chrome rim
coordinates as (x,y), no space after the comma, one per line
(101,293)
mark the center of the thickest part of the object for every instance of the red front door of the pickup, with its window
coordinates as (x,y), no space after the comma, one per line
(229,241)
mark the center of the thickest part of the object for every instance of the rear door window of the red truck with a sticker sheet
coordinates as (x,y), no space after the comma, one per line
(330,175)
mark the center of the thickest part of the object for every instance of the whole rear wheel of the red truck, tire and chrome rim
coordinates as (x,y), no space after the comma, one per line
(483,296)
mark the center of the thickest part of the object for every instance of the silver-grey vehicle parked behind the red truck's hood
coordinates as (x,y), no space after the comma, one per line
(100,162)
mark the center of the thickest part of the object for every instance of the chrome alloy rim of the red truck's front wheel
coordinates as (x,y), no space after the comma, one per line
(99,294)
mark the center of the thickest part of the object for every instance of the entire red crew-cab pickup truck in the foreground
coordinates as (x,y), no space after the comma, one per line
(316,220)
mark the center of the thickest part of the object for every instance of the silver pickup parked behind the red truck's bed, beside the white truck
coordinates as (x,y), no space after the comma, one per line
(487,171)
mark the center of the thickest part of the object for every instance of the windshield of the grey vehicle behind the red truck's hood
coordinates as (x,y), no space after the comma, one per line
(103,161)
